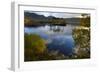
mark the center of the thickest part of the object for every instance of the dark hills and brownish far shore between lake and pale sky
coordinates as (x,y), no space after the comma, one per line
(33,19)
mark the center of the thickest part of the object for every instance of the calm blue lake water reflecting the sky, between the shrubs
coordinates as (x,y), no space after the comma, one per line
(58,37)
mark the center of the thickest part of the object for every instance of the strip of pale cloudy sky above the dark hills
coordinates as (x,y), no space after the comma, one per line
(58,14)
